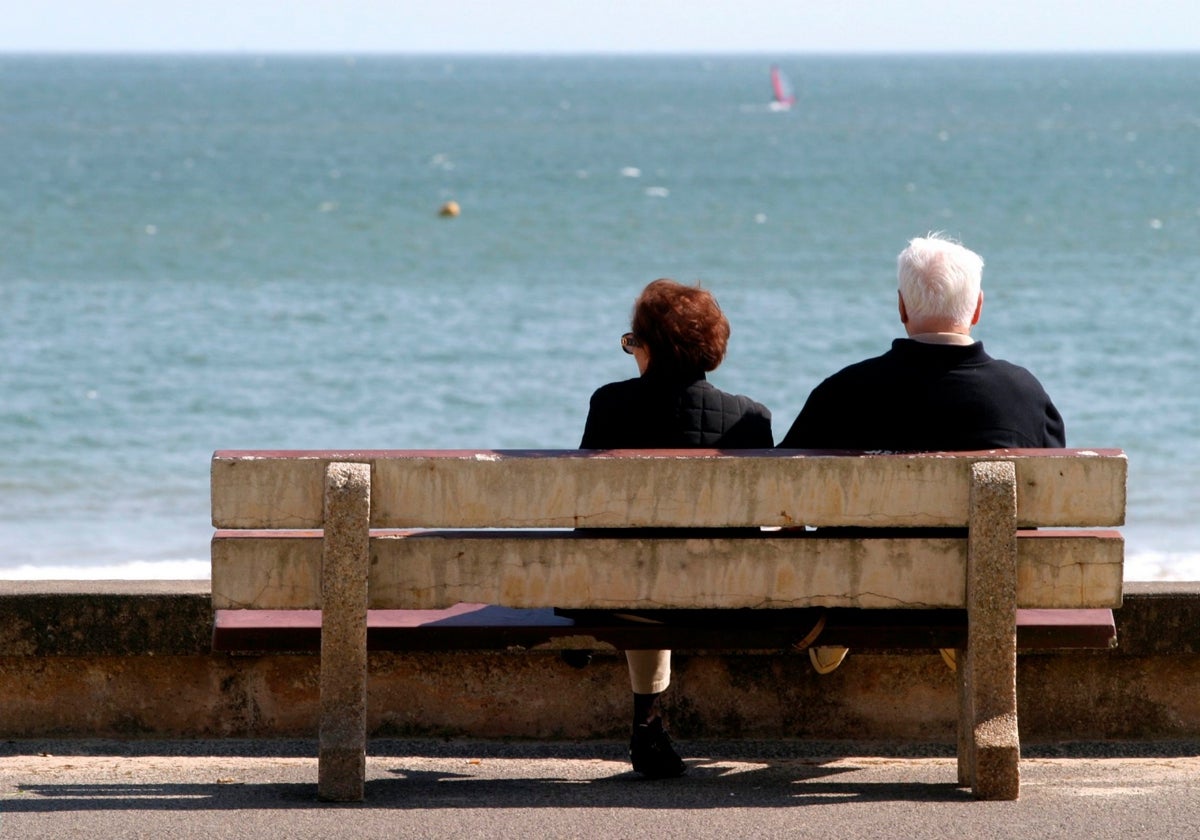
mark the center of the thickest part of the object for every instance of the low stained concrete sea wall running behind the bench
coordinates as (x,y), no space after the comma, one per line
(134,659)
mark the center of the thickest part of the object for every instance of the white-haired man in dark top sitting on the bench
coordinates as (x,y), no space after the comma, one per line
(935,391)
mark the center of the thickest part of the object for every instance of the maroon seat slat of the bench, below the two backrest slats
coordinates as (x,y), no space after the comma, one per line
(478,627)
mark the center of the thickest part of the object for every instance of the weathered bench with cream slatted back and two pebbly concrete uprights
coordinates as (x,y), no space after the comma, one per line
(361,536)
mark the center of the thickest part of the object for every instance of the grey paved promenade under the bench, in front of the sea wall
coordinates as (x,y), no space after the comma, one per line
(461,790)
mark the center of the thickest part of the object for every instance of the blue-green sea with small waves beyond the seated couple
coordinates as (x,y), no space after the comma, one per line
(247,253)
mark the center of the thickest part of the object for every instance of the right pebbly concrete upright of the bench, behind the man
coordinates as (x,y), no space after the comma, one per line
(988,674)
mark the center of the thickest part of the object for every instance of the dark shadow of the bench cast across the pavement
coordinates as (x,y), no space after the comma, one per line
(711,783)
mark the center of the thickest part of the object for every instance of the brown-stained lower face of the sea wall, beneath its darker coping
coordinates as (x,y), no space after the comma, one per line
(1075,697)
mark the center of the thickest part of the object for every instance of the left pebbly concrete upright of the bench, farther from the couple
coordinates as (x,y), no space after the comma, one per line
(341,772)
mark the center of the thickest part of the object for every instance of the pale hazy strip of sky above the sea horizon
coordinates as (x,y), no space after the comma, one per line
(542,27)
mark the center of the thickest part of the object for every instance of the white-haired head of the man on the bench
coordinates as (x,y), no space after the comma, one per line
(939,284)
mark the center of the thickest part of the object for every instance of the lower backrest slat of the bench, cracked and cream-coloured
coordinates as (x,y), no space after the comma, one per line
(281,571)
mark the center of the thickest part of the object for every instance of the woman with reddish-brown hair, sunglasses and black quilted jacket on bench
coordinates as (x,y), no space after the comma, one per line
(679,334)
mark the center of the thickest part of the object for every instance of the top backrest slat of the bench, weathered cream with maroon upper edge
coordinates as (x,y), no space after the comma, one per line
(571,489)
